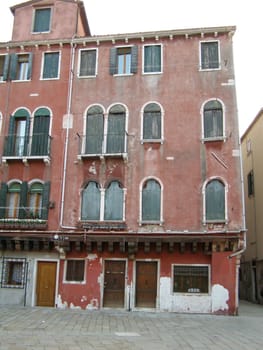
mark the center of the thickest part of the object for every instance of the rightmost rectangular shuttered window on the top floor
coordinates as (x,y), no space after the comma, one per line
(210,55)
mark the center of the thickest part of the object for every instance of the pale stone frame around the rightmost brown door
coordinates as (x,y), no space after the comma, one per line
(133,301)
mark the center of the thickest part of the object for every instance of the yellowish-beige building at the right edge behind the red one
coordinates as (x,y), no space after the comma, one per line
(251,271)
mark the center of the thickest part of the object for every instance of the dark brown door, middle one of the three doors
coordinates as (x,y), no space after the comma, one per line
(114,283)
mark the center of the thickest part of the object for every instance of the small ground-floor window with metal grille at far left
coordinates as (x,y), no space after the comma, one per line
(13,273)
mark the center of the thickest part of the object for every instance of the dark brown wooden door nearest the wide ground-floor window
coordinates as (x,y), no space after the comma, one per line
(146,284)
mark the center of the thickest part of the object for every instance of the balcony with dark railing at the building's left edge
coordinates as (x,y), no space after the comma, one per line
(25,148)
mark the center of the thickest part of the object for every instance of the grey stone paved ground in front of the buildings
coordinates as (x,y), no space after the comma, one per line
(54,329)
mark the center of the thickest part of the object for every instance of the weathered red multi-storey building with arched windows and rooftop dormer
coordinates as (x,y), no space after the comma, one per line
(120,173)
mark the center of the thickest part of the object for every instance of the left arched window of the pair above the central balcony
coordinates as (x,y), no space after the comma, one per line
(94,130)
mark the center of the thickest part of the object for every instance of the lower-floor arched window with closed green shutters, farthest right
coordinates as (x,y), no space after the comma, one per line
(215,201)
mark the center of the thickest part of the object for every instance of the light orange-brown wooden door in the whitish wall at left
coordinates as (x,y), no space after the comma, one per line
(46,283)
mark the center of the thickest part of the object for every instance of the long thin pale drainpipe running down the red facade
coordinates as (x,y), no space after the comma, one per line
(69,103)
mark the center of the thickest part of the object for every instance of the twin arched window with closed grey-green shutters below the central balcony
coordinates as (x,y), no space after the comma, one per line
(103,204)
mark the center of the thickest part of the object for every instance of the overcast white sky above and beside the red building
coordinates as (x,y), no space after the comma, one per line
(122,16)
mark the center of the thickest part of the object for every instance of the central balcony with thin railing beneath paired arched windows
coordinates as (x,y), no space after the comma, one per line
(102,146)
